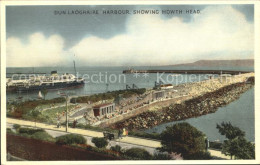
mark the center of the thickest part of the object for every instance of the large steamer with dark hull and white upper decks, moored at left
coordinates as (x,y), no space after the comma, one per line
(52,82)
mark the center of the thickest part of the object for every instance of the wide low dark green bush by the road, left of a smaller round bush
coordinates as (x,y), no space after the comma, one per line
(70,139)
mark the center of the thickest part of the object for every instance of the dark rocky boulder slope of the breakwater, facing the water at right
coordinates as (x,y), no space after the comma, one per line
(194,107)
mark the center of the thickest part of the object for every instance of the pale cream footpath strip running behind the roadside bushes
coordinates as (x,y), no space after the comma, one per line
(128,139)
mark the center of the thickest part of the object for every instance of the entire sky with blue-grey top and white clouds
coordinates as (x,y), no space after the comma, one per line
(35,36)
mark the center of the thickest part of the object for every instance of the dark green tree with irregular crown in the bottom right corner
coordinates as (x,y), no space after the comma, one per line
(236,145)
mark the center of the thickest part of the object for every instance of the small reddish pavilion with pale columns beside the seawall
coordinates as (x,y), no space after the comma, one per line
(104,109)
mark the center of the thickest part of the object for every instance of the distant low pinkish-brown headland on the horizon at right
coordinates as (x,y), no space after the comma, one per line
(220,63)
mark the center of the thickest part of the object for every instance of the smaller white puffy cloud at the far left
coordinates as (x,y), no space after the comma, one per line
(39,51)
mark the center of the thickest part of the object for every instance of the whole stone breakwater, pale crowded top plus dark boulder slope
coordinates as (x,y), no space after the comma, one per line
(188,95)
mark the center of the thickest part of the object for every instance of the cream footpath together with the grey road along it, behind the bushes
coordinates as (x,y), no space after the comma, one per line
(125,142)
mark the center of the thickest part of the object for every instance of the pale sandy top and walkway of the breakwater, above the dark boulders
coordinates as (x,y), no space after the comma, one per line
(185,92)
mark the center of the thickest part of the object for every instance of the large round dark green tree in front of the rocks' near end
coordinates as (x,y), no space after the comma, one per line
(184,139)
